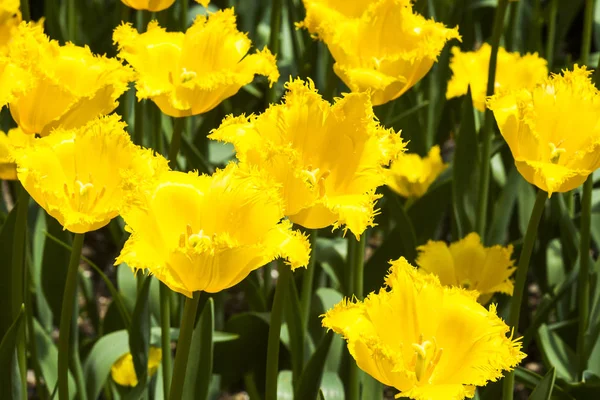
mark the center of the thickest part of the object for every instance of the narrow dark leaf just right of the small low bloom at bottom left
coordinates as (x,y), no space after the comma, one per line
(139,333)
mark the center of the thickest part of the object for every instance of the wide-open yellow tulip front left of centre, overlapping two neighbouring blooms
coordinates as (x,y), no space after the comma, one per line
(209,232)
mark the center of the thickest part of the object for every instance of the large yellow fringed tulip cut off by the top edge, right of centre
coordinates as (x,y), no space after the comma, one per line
(379,45)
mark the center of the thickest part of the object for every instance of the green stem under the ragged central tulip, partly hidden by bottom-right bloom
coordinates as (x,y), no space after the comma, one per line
(356,265)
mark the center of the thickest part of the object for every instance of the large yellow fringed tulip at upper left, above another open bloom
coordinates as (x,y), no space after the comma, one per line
(64,86)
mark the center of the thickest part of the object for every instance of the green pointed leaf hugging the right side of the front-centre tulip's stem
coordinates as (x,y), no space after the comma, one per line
(199,369)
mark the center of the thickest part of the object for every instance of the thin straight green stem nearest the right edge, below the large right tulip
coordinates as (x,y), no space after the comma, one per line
(583,286)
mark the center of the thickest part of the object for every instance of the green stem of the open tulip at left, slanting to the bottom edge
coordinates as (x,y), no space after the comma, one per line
(65,317)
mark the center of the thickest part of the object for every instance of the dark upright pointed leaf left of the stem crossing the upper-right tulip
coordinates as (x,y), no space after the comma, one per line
(465,164)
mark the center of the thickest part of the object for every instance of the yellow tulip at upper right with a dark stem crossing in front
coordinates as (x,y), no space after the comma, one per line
(513,71)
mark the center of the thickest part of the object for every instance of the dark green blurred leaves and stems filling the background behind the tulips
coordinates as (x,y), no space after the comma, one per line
(240,316)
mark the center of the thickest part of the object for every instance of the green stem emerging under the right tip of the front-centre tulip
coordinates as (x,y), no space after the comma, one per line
(275,330)
